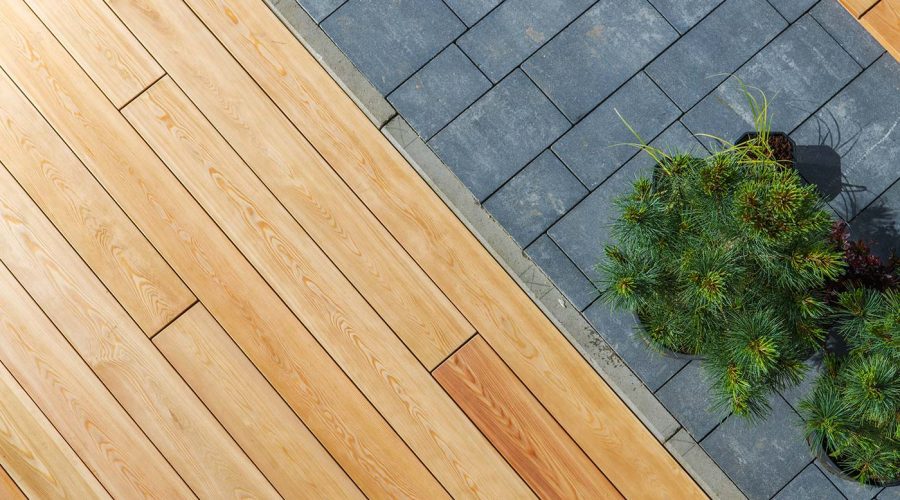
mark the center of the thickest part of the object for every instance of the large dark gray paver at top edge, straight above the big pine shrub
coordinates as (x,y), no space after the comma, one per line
(718,45)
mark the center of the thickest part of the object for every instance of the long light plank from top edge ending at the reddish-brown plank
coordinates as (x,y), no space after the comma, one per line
(335,218)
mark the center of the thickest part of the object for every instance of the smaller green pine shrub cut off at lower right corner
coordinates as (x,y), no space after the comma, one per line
(853,413)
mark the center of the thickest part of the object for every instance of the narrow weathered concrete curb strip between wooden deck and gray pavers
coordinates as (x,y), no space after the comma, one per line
(507,252)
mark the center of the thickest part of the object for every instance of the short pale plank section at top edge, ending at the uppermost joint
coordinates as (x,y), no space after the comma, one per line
(102,45)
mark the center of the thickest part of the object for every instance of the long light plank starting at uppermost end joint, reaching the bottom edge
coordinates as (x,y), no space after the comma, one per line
(349,329)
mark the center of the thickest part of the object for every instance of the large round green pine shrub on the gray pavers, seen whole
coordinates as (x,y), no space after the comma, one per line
(725,257)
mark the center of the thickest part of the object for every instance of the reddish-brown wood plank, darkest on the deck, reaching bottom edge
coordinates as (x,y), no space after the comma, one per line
(533,443)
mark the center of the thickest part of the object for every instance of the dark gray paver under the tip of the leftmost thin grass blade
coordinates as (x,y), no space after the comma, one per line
(593,149)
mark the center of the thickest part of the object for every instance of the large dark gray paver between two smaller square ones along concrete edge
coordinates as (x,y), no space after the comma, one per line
(499,134)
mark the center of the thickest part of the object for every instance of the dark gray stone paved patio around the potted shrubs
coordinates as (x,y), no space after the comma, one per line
(520,99)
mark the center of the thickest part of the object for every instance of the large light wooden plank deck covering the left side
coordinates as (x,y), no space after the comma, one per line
(219,280)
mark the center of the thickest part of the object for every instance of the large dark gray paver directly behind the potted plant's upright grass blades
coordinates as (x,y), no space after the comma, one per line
(798,71)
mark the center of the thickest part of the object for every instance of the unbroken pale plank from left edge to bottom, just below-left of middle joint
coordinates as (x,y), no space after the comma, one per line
(120,354)
